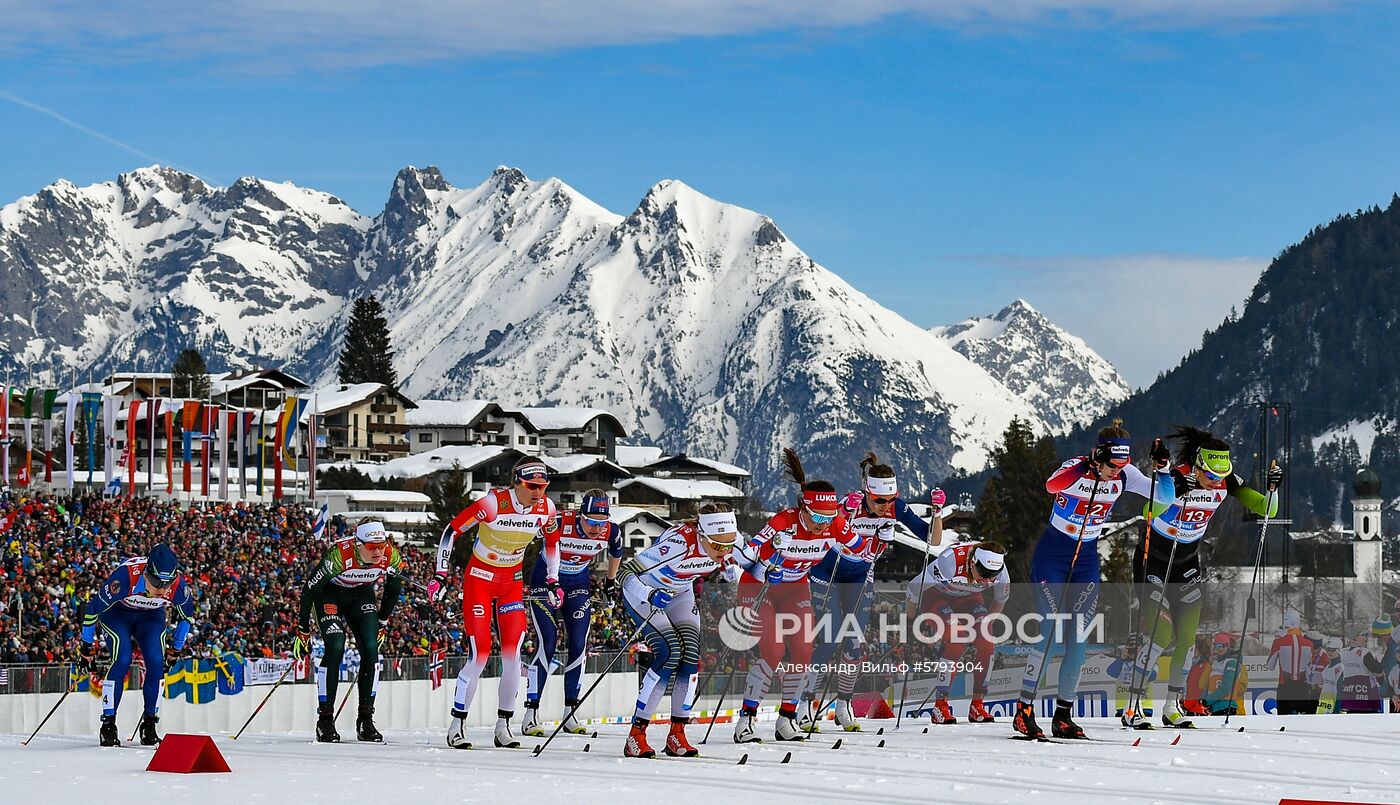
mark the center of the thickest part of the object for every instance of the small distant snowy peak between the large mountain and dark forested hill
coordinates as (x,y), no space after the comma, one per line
(1056,373)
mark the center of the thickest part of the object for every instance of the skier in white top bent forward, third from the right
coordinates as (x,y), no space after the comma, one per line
(969,580)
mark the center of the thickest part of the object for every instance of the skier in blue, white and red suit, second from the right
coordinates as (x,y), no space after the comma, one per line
(1084,491)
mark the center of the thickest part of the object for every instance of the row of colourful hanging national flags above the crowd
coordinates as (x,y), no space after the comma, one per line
(205,428)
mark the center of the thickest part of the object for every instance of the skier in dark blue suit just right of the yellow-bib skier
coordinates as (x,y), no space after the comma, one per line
(583,535)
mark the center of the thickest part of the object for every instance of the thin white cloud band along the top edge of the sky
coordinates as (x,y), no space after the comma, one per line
(369,33)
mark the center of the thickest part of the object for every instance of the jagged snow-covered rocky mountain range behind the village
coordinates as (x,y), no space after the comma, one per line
(701,324)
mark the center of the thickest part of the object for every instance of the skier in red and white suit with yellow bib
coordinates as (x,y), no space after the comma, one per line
(507,521)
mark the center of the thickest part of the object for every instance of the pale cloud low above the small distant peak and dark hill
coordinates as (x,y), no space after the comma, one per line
(1143,313)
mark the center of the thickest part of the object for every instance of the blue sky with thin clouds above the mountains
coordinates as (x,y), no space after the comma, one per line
(1126,167)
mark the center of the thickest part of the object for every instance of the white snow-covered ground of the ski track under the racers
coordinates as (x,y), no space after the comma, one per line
(1336,758)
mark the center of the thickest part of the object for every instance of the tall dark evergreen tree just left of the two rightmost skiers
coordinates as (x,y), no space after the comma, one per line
(1014,505)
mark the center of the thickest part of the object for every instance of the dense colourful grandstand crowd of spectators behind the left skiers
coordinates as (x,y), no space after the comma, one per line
(247,563)
